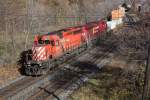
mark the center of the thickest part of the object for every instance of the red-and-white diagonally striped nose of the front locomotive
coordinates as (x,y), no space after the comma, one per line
(39,53)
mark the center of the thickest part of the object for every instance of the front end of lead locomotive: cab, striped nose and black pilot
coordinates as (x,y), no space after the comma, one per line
(38,63)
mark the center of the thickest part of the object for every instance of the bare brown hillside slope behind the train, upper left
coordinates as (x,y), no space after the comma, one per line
(21,17)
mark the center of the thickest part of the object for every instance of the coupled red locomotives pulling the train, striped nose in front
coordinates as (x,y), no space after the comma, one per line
(49,49)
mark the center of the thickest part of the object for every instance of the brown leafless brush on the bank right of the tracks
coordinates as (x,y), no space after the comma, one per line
(133,41)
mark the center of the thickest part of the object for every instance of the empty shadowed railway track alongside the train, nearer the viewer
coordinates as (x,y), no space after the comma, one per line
(74,75)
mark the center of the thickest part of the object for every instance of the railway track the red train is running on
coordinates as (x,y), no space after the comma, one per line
(27,86)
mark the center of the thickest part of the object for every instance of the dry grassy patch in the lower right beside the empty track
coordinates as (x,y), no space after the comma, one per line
(112,83)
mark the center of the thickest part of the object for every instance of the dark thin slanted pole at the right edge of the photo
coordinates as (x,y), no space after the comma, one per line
(146,86)
